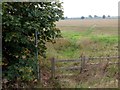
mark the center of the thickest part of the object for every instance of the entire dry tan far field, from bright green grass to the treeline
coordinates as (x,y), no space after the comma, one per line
(108,26)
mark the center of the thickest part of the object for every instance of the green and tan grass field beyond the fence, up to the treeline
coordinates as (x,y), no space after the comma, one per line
(86,36)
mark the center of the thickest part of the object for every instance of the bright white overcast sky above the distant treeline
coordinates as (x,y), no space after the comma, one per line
(78,8)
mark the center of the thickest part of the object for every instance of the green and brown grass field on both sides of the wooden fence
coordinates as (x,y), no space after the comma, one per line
(90,37)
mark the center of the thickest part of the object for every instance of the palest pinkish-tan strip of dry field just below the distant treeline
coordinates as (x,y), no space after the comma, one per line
(89,22)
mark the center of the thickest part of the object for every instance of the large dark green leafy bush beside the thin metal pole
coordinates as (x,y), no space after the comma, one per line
(20,20)
